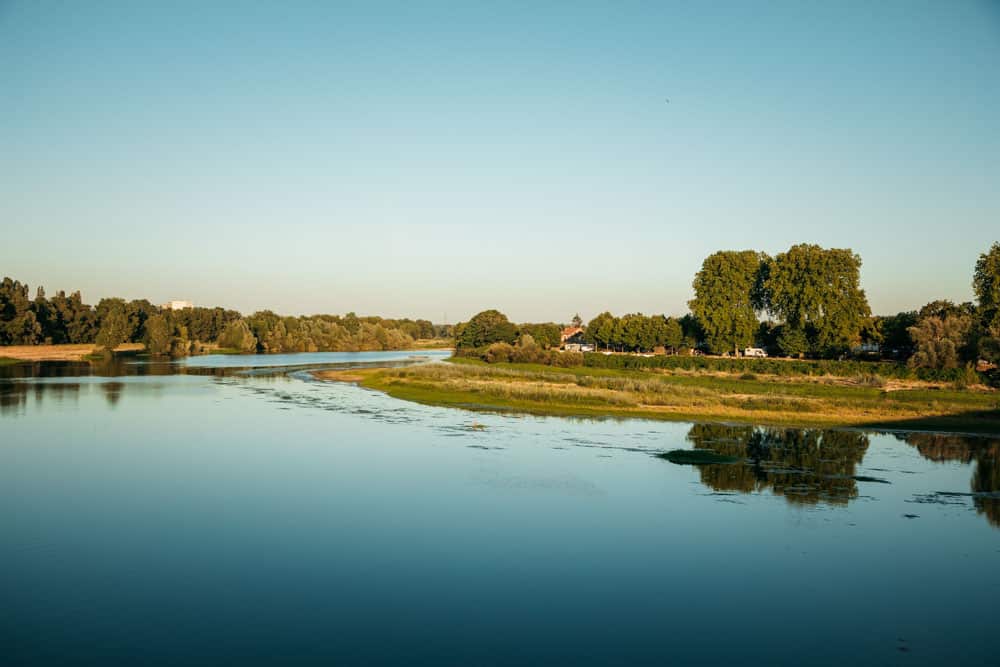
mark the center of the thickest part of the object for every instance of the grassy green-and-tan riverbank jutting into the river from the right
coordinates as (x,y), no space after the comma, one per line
(598,392)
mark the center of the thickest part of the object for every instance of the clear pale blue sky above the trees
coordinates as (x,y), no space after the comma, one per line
(423,159)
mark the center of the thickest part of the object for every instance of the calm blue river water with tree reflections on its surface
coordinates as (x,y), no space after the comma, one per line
(224,517)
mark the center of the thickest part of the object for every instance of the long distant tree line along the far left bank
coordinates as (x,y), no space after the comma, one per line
(66,319)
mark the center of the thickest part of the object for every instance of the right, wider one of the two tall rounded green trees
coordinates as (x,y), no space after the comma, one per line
(818,291)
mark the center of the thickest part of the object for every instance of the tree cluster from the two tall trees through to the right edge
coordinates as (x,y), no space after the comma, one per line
(816,308)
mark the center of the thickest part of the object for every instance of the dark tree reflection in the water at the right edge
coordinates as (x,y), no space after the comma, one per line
(983,452)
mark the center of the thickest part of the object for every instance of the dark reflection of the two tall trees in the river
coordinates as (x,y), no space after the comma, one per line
(807,466)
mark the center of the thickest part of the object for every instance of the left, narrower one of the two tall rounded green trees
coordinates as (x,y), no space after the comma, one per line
(727,298)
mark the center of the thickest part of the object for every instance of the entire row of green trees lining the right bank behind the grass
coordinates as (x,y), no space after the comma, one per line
(803,303)
